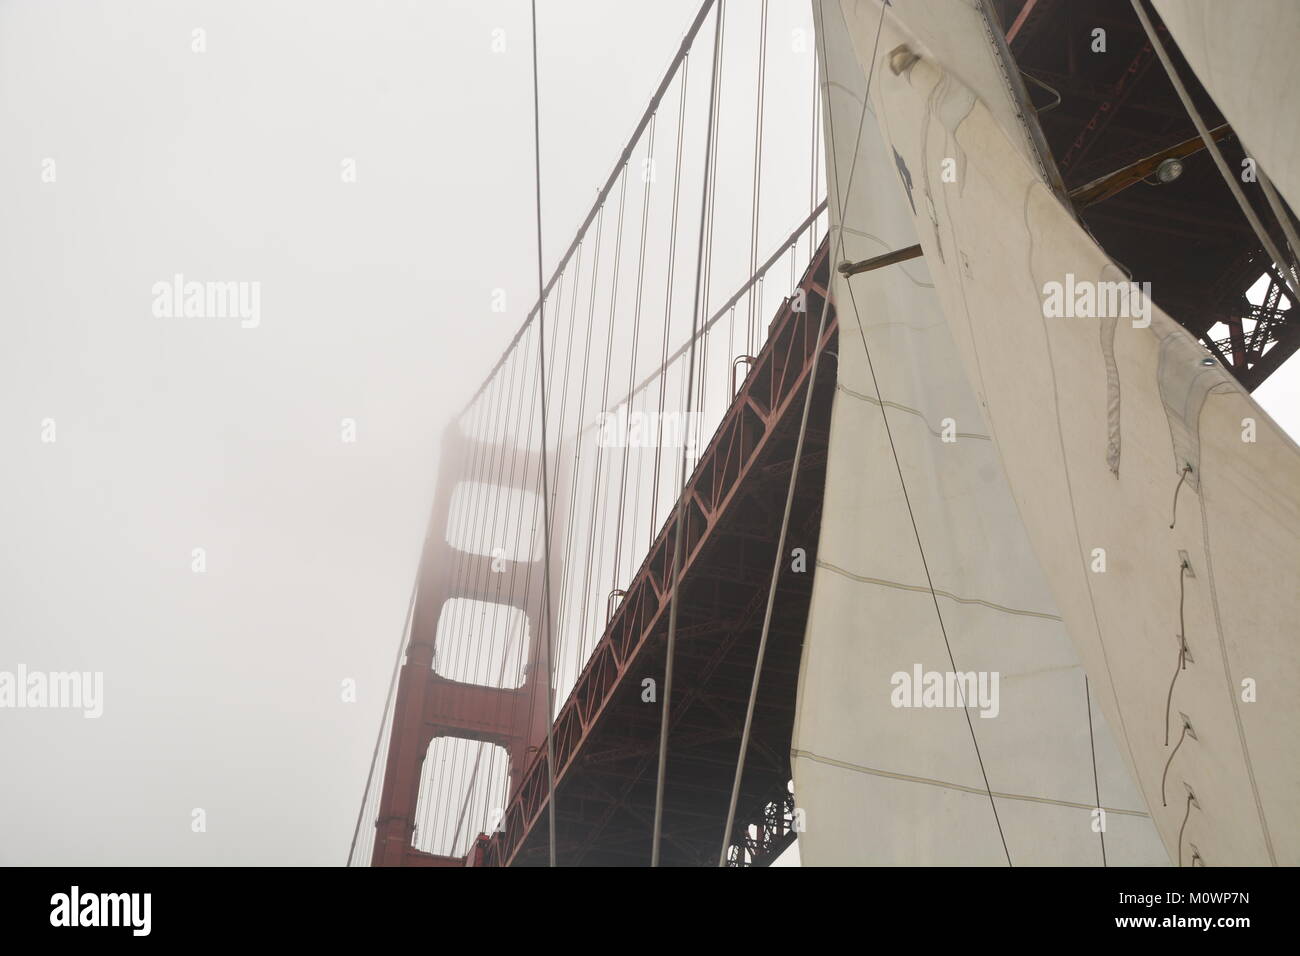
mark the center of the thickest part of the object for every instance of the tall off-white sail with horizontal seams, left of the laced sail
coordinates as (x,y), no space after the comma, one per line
(926,785)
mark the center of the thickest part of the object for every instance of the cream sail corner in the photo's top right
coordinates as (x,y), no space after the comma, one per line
(1245,57)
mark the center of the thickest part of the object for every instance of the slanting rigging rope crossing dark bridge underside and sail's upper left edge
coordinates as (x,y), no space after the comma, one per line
(795,468)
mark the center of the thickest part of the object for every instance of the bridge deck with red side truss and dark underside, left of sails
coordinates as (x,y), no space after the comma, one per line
(608,739)
